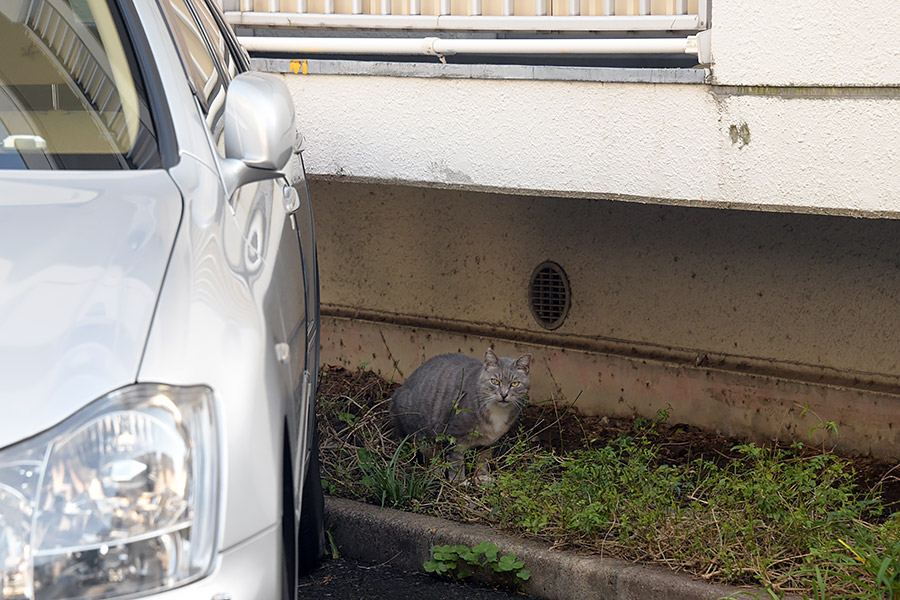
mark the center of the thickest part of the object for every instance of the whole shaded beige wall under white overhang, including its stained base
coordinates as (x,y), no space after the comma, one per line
(738,319)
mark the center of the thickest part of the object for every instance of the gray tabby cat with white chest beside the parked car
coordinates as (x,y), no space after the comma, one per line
(475,402)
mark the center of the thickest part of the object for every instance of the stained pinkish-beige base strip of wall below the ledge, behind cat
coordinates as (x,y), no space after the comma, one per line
(749,406)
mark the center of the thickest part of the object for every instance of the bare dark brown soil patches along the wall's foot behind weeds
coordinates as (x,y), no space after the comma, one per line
(564,429)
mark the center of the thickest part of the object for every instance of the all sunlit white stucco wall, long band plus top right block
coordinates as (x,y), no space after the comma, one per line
(802,113)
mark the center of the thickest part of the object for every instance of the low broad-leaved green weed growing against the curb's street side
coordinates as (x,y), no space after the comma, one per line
(462,562)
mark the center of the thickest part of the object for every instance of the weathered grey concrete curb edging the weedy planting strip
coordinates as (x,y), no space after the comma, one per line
(382,535)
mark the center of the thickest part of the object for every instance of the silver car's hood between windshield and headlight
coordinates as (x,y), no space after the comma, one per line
(82,258)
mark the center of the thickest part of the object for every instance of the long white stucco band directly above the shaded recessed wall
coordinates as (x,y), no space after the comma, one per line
(650,141)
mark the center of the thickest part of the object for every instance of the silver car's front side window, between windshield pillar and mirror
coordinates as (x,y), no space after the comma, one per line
(207,80)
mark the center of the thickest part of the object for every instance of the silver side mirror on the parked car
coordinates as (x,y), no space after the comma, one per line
(260,129)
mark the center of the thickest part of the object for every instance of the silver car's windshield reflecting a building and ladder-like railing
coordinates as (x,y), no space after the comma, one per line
(70,94)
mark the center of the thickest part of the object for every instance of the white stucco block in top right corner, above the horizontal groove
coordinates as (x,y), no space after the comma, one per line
(805,42)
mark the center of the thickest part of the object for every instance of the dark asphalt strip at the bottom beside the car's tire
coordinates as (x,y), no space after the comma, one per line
(348,579)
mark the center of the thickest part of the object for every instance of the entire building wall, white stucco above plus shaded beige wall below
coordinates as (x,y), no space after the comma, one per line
(439,191)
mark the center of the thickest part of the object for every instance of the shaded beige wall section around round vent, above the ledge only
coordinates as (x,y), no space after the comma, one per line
(791,289)
